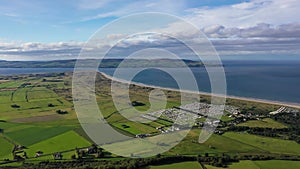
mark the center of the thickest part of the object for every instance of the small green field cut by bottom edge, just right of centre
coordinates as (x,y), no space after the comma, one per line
(183,165)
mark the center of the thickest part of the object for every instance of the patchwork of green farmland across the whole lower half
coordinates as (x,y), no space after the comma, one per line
(31,116)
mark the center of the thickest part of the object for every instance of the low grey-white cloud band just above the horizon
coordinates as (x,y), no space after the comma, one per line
(259,39)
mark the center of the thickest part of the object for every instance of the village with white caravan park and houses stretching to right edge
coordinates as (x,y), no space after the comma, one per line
(199,114)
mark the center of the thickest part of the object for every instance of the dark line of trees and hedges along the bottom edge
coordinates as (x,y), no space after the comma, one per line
(218,160)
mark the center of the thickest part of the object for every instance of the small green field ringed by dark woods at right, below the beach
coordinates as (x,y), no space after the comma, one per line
(264,123)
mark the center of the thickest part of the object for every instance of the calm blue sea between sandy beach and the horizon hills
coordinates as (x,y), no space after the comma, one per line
(271,80)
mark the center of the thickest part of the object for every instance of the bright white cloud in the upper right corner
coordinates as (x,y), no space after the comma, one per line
(246,14)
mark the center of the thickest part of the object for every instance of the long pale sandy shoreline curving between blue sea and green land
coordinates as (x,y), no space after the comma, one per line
(257,100)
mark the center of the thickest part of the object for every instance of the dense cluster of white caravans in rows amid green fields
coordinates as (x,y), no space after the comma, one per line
(185,116)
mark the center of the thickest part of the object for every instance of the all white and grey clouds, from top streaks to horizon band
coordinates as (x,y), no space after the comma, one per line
(252,27)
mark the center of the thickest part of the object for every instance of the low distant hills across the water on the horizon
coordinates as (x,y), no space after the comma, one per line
(106,63)
